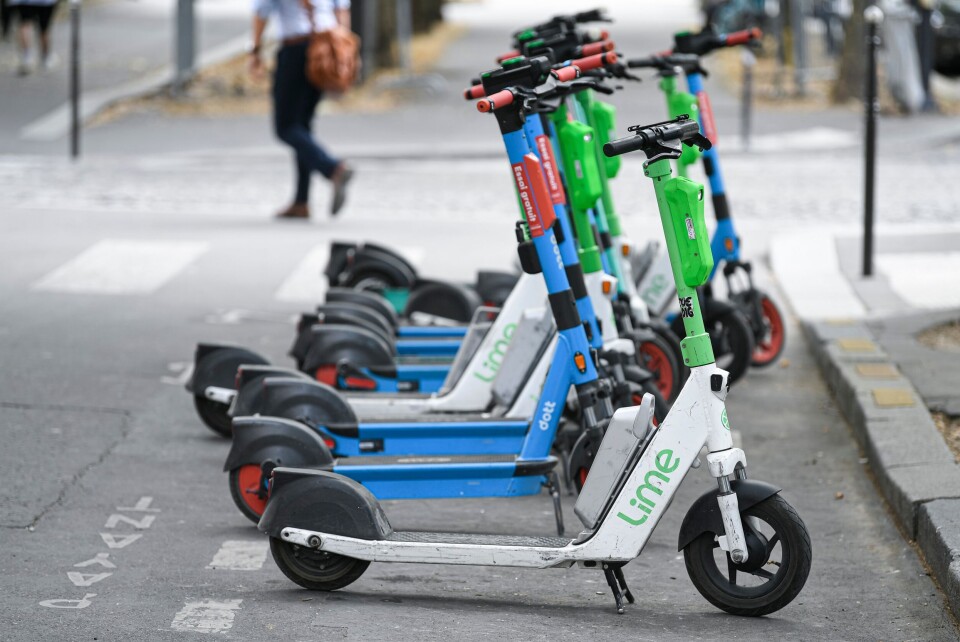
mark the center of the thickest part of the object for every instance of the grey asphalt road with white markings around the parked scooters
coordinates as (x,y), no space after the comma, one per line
(113,479)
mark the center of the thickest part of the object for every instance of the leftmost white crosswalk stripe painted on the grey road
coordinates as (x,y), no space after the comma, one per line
(116,266)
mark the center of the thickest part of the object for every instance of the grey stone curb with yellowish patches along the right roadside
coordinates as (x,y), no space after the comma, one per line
(913,466)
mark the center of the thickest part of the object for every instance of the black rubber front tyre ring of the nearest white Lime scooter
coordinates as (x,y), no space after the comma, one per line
(773,595)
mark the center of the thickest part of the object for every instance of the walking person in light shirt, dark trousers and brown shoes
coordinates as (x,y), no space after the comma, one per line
(294,99)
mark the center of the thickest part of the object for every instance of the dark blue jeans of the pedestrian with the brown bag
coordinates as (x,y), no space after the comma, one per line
(294,103)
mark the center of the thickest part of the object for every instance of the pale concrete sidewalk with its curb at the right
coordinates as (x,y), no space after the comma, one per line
(864,334)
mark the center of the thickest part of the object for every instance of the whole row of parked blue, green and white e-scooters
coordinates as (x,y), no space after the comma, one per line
(567,376)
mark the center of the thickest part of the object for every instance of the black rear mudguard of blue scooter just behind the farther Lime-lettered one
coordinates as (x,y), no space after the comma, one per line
(333,343)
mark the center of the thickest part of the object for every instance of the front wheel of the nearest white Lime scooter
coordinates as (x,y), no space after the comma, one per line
(777,566)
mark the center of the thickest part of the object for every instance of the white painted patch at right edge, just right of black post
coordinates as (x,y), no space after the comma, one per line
(910,277)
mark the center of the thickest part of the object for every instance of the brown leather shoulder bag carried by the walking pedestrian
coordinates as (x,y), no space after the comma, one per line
(333,56)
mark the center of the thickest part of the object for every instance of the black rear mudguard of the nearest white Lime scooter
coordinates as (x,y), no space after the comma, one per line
(323,502)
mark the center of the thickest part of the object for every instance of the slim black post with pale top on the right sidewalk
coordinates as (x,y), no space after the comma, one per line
(873,16)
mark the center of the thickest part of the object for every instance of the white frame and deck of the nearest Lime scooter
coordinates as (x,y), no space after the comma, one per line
(626,523)
